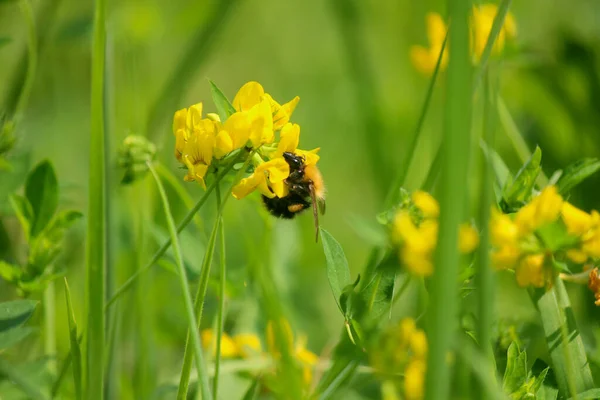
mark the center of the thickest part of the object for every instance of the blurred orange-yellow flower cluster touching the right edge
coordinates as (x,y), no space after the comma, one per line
(516,245)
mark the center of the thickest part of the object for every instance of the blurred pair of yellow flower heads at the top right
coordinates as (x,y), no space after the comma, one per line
(425,59)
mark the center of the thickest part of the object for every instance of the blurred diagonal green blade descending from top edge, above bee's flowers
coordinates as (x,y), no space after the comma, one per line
(197,53)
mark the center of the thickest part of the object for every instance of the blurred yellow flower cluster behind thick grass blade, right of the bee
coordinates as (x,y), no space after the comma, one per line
(416,235)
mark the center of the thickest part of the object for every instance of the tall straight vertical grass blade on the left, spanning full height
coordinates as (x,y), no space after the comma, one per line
(96,224)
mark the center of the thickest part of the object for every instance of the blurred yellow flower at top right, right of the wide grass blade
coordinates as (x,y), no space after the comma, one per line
(481,26)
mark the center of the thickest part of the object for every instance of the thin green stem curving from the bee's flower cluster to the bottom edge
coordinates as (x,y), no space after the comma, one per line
(203,285)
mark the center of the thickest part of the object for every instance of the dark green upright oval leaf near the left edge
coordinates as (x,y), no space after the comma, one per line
(41,189)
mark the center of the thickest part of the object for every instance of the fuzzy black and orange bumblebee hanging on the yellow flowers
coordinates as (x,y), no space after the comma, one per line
(305,189)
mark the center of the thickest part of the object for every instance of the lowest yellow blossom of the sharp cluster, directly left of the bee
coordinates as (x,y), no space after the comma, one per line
(268,178)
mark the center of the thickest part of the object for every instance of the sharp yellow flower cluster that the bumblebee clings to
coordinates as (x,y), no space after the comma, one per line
(199,142)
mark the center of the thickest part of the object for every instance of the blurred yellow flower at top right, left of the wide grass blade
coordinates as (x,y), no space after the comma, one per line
(425,59)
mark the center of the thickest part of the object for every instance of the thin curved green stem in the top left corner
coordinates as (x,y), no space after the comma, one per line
(32,58)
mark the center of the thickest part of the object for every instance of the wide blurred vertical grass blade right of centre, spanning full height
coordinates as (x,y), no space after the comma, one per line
(443,307)
